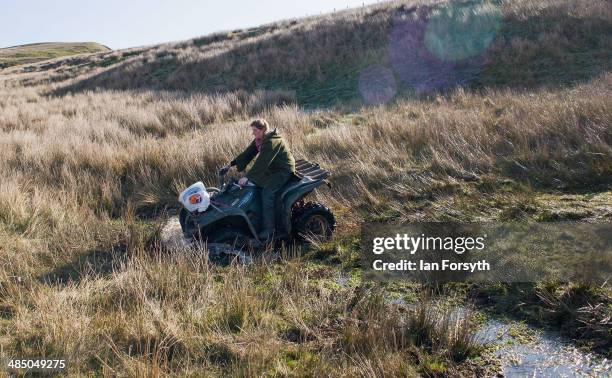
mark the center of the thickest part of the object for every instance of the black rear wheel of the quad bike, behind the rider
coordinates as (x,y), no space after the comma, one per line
(313,221)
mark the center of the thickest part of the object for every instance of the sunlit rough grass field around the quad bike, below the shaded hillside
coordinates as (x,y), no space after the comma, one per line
(85,276)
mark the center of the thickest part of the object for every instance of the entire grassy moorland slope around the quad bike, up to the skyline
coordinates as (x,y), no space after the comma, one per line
(511,124)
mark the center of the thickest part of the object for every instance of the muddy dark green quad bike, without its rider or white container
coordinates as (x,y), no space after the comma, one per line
(234,214)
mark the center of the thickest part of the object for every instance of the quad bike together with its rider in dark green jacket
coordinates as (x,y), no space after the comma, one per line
(268,203)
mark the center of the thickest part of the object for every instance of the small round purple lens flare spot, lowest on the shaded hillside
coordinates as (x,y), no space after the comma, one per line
(376,85)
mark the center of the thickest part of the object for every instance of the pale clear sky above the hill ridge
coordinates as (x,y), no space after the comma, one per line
(131,23)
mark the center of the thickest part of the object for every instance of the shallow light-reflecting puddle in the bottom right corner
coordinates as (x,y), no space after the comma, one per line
(546,354)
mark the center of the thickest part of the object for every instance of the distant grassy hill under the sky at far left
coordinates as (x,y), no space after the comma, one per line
(36,52)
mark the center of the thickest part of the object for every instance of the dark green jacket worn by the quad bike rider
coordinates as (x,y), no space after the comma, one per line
(273,163)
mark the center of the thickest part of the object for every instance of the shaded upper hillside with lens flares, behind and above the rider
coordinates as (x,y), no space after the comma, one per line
(402,47)
